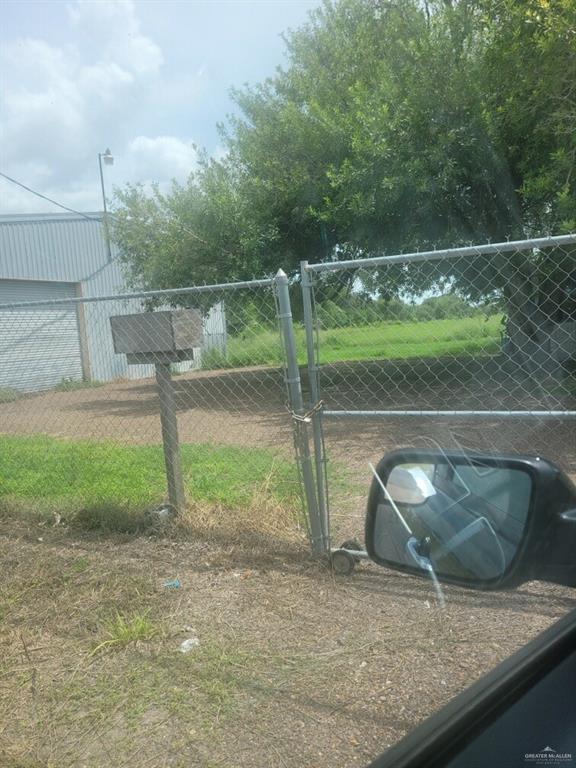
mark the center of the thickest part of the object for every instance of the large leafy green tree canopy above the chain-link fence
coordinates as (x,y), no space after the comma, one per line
(396,125)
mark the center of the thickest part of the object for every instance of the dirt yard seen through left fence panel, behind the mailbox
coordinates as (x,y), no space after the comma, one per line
(244,407)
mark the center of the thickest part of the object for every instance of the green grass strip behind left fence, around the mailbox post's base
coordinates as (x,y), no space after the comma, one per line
(103,484)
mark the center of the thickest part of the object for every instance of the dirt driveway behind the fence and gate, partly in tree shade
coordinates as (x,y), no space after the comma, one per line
(249,407)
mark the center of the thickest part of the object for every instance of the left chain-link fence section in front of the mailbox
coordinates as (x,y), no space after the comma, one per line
(96,394)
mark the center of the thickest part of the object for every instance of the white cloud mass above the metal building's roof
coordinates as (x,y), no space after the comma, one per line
(64,104)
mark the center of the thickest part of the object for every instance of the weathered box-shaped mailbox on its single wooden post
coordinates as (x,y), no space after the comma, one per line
(162,338)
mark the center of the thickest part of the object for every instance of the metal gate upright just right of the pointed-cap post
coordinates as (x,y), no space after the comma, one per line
(321,479)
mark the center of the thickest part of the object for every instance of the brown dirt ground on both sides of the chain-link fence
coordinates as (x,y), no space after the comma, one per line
(294,668)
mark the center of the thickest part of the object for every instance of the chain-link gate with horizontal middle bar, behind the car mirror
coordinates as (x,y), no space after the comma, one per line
(473,348)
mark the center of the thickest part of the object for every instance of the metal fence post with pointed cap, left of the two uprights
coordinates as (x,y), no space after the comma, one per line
(297,405)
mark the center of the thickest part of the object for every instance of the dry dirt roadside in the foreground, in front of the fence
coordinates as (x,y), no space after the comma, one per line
(294,668)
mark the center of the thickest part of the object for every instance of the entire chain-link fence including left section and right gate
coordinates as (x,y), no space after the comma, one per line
(102,400)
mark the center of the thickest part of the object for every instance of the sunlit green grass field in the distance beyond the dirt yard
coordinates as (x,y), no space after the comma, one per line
(380,341)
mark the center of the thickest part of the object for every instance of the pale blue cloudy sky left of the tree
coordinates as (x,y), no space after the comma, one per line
(149,80)
